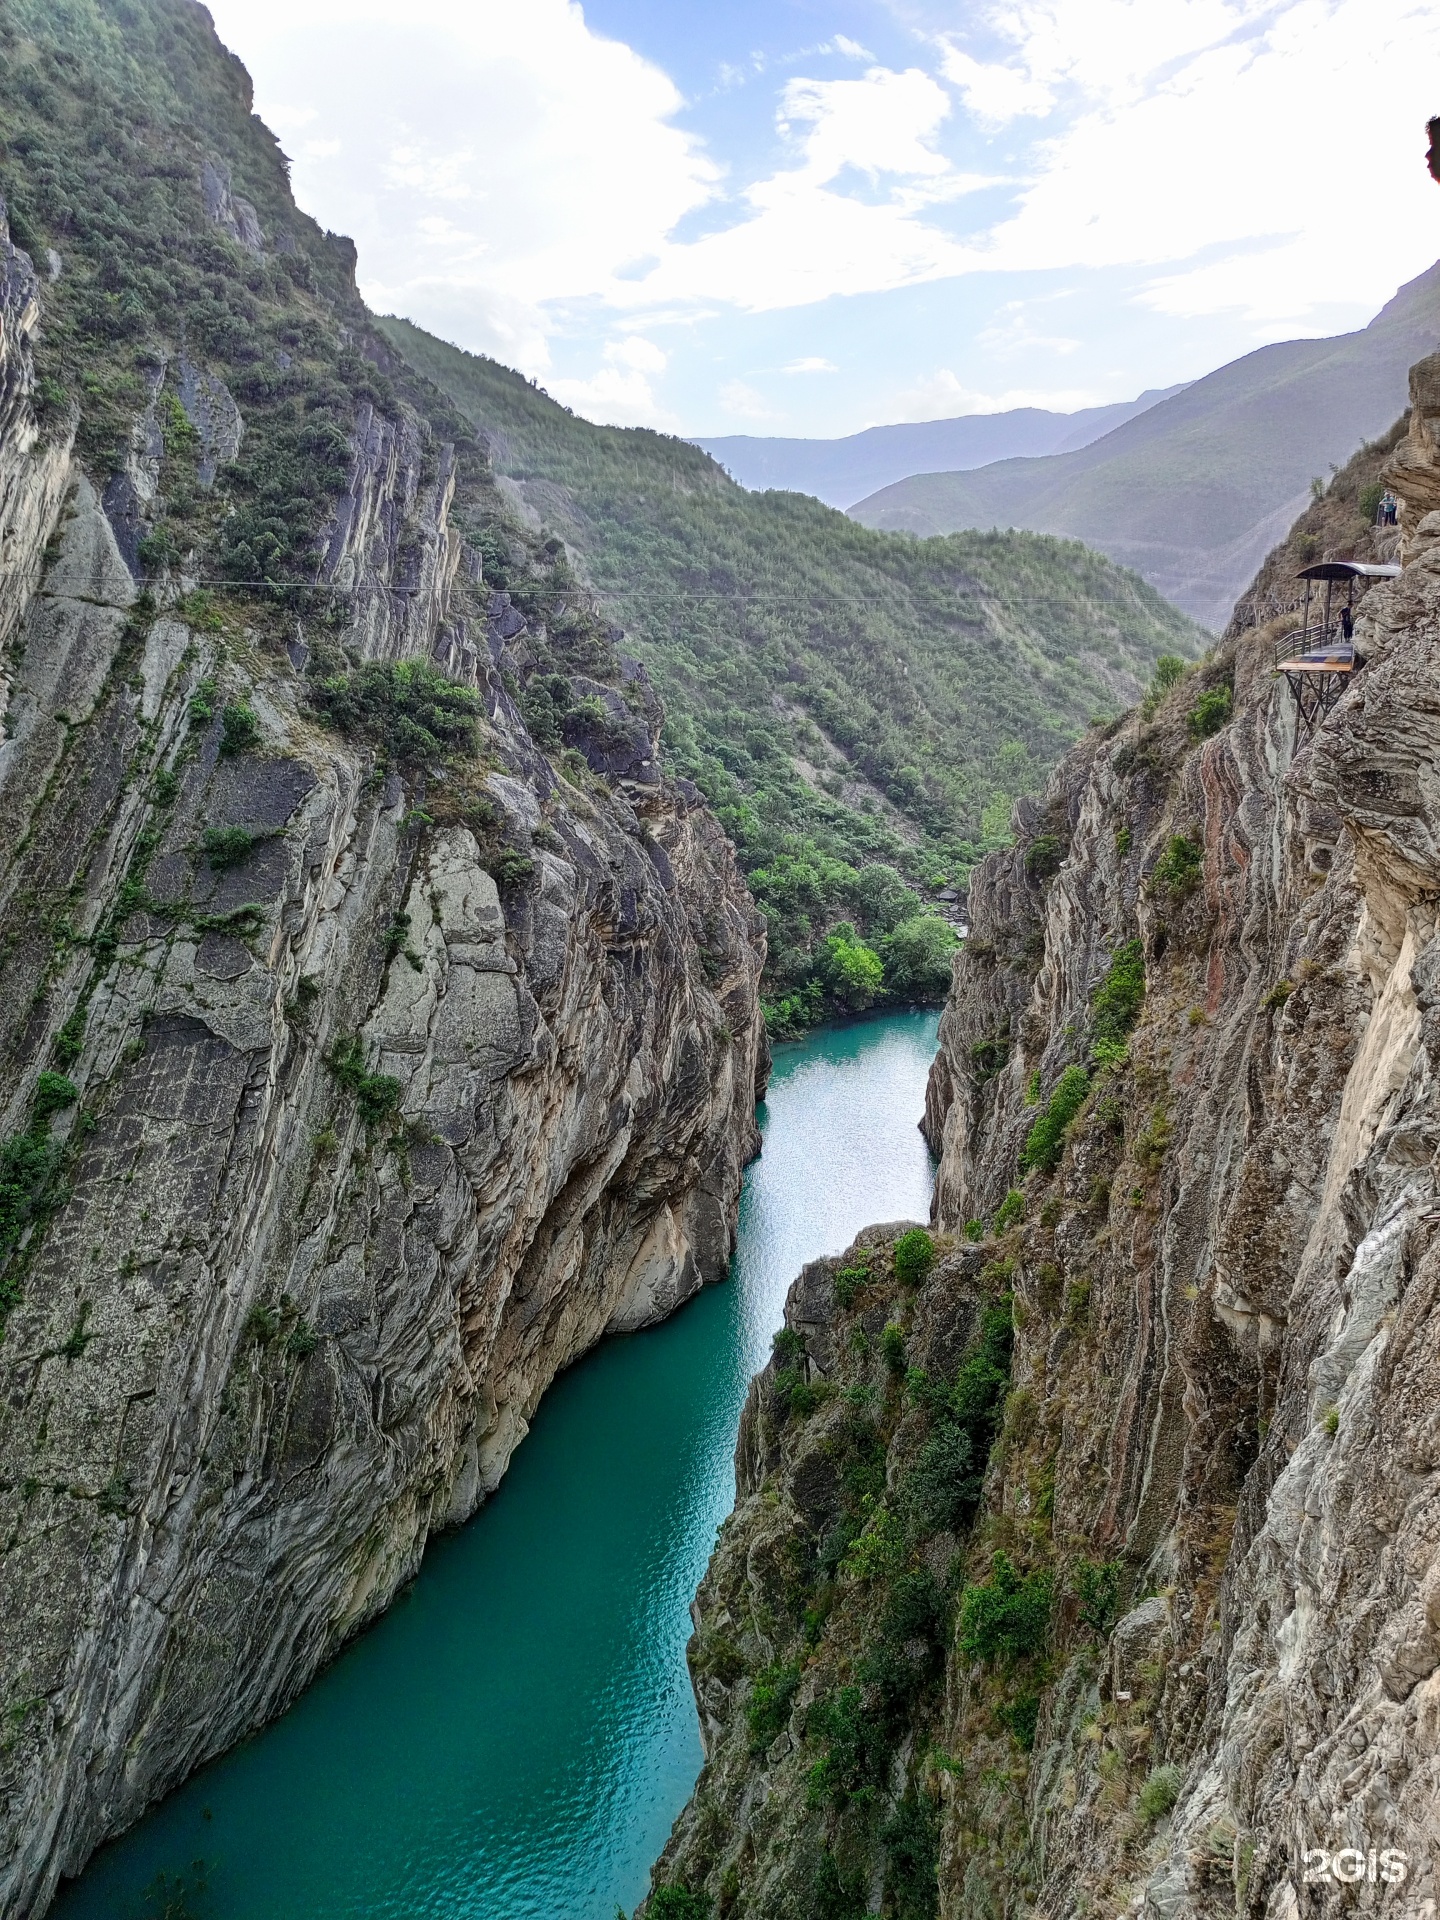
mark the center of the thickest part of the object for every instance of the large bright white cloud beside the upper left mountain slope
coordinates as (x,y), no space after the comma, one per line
(550,151)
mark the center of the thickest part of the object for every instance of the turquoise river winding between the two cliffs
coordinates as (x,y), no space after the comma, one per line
(517,1735)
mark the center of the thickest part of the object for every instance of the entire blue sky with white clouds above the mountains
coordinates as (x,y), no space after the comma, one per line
(815,216)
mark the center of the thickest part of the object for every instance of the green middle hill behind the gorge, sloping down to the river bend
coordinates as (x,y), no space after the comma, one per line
(924,683)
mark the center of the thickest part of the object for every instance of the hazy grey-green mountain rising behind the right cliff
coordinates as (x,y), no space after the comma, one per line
(1195,491)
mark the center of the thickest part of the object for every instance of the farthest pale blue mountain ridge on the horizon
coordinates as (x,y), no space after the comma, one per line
(846,471)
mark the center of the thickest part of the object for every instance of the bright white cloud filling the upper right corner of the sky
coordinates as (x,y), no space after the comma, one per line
(1207,128)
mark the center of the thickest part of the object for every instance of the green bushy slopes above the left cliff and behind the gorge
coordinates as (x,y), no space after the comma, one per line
(859,708)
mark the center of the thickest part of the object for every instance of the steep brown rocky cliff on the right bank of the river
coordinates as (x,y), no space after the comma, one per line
(1186,1107)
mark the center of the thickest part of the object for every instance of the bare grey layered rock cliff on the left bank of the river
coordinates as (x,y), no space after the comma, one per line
(366,1067)
